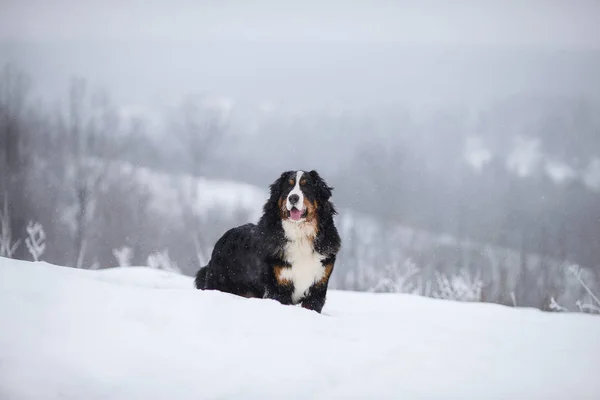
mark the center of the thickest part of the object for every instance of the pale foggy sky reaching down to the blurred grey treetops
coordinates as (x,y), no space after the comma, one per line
(311,54)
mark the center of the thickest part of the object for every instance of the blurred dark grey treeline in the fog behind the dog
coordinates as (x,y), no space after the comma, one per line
(62,165)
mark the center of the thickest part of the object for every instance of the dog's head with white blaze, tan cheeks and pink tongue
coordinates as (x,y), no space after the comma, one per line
(299,194)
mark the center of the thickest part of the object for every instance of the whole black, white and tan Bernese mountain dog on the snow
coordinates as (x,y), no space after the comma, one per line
(288,255)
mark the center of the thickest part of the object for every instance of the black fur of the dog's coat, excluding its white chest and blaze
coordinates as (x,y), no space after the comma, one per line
(245,258)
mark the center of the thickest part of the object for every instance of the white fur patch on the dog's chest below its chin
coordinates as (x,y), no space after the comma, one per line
(306,267)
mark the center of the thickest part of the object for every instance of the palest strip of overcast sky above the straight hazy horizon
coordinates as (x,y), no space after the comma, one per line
(570,23)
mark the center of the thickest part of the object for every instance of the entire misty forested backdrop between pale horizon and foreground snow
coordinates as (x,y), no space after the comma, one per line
(494,197)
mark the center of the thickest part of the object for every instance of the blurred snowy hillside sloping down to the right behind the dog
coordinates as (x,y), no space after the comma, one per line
(151,211)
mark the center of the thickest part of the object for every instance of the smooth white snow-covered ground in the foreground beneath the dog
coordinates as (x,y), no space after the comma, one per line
(139,333)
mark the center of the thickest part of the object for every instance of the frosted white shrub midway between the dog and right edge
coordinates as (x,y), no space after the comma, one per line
(460,287)
